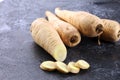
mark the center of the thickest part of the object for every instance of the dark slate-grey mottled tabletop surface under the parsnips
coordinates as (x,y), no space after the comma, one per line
(20,57)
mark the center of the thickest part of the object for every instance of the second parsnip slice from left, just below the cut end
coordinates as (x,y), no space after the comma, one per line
(62,67)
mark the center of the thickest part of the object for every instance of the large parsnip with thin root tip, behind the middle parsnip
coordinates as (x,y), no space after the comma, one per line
(88,24)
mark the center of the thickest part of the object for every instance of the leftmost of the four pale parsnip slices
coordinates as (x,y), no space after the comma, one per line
(48,65)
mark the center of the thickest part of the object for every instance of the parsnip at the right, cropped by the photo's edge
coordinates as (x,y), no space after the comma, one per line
(111,31)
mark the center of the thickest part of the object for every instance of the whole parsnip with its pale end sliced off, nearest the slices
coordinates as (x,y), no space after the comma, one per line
(47,37)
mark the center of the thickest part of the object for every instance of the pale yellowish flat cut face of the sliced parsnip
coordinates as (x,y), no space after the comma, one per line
(60,53)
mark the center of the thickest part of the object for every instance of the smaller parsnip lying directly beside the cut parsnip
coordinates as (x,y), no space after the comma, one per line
(69,34)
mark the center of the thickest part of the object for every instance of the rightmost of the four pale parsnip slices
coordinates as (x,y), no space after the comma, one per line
(82,64)
